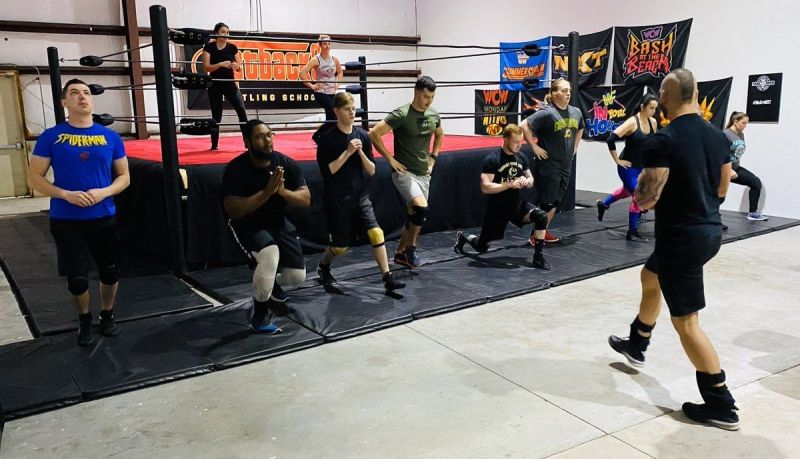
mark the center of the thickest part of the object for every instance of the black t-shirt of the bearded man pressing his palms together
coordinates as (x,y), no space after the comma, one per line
(243,178)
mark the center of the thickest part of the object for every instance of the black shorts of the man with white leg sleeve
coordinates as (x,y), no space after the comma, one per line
(289,249)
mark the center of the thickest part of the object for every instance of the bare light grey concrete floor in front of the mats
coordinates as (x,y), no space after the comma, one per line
(531,376)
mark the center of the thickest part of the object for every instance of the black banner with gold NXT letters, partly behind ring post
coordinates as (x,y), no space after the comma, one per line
(592,58)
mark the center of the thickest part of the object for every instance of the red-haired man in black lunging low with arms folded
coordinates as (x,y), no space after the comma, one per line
(504,173)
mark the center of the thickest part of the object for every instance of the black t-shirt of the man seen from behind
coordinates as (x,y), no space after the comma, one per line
(694,152)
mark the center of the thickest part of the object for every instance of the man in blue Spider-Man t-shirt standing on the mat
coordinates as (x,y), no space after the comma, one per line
(89,169)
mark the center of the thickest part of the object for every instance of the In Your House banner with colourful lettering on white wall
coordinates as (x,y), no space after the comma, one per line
(605,108)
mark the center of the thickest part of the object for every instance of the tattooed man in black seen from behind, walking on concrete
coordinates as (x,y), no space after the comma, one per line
(686,176)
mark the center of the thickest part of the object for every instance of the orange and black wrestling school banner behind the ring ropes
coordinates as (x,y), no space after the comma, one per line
(269,74)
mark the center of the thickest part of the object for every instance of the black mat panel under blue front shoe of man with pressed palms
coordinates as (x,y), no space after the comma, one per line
(222,334)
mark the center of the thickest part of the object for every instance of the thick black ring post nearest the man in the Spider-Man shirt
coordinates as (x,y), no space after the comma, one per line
(169,141)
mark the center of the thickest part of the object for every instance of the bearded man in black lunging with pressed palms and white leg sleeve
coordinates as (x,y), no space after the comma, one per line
(257,186)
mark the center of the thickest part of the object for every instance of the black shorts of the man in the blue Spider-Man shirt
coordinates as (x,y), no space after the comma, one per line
(80,241)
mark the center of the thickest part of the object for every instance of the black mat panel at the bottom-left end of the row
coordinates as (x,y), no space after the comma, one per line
(33,378)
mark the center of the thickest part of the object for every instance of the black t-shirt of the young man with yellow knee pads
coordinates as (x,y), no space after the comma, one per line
(350,181)
